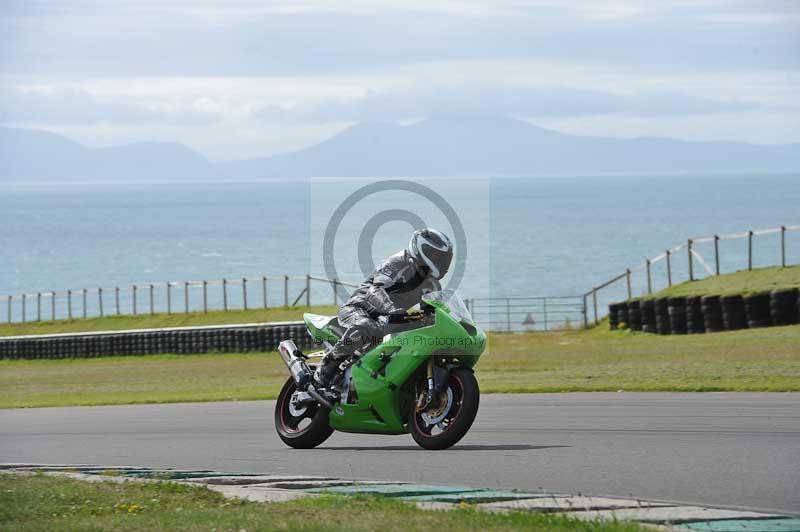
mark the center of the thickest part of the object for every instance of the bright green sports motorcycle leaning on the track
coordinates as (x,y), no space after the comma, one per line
(419,379)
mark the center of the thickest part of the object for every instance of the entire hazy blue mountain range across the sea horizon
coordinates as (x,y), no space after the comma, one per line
(434,147)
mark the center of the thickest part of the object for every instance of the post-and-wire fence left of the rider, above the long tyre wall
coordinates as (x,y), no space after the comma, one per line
(175,297)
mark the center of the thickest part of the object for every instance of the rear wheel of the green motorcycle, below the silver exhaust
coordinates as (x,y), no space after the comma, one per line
(300,426)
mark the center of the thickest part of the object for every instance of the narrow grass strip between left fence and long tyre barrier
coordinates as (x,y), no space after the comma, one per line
(149,321)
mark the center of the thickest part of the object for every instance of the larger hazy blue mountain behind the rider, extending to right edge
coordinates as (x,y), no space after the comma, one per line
(504,146)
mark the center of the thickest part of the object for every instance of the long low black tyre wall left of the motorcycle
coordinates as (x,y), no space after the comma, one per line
(182,340)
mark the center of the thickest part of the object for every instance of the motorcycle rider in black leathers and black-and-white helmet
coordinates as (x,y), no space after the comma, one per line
(397,284)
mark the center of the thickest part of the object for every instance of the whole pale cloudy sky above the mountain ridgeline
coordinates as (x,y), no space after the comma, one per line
(241,79)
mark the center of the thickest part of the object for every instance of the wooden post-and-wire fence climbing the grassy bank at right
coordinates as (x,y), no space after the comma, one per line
(694,259)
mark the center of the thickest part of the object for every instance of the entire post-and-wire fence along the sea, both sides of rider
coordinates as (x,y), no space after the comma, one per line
(694,259)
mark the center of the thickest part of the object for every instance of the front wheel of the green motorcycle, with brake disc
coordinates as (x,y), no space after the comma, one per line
(445,421)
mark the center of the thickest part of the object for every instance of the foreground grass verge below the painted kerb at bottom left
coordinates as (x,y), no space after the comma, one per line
(39,502)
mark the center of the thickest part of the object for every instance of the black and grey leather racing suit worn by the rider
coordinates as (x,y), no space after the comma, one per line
(396,285)
